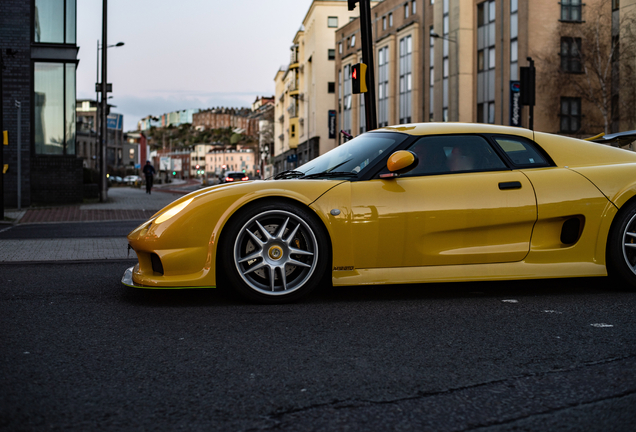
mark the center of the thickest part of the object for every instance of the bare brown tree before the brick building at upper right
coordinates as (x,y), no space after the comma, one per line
(594,55)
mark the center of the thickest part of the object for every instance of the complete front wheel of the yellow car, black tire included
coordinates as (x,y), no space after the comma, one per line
(274,253)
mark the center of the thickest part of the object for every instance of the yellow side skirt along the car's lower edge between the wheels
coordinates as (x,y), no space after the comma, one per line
(465,273)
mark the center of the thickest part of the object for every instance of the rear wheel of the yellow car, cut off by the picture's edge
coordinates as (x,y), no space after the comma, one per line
(621,246)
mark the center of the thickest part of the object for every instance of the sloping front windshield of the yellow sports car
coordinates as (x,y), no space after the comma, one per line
(353,156)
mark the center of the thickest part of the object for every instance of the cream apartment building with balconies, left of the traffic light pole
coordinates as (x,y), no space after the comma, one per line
(304,104)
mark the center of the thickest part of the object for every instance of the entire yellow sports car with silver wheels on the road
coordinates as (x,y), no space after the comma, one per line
(405,204)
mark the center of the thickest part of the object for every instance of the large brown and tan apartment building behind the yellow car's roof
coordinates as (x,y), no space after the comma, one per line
(459,60)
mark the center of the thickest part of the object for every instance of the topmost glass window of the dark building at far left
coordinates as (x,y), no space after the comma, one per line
(55,21)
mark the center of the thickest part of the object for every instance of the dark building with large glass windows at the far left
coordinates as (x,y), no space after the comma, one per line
(39,49)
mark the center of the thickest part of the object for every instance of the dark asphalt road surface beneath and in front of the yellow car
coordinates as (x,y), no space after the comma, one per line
(82,352)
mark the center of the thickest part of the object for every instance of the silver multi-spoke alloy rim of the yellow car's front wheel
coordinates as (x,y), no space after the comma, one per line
(275,252)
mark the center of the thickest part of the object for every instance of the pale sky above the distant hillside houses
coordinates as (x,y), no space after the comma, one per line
(186,53)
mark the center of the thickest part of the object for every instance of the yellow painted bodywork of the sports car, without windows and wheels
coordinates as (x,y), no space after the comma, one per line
(436,228)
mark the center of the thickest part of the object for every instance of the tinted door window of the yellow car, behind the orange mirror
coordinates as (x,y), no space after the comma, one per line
(454,153)
